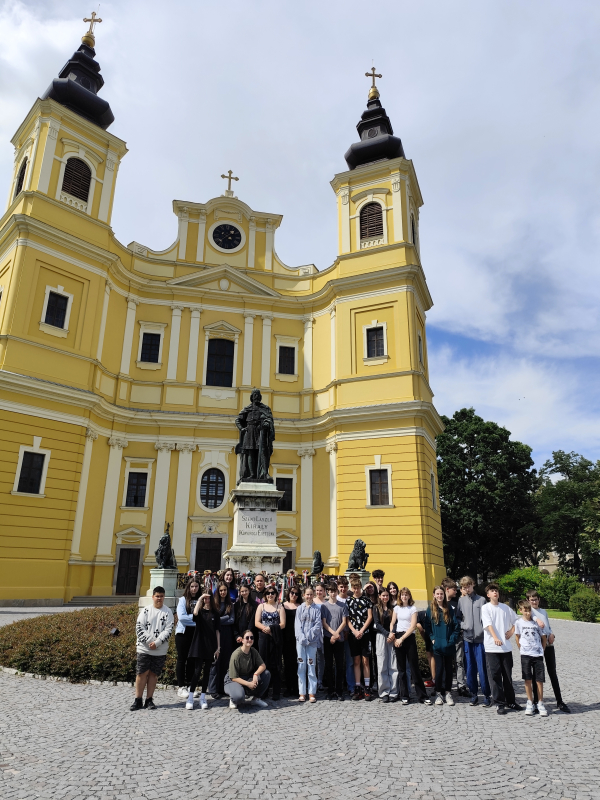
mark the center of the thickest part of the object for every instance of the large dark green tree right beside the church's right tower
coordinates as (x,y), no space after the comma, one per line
(486,486)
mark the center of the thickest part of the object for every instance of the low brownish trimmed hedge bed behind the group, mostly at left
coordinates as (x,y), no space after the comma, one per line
(77,645)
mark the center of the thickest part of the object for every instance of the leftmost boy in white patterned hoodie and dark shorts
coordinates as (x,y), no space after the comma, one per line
(153,629)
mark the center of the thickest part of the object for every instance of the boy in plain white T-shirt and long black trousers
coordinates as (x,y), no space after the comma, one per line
(498,622)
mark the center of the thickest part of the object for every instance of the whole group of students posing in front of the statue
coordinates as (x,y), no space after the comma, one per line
(356,641)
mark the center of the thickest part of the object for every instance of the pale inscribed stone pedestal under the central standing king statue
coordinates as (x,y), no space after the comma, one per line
(255,545)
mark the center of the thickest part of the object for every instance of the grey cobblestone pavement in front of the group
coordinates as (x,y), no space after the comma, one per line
(60,740)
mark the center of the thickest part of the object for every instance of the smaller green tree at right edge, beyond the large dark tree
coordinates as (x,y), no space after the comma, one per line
(569,510)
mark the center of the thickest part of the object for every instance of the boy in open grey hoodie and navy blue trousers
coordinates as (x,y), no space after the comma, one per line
(469,606)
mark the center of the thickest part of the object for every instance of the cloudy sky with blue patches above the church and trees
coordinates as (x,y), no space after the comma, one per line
(496,104)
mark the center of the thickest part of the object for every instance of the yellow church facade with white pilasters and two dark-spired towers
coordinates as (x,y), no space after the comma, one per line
(122,369)
